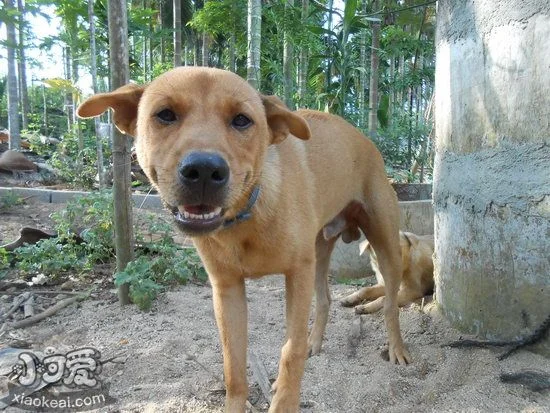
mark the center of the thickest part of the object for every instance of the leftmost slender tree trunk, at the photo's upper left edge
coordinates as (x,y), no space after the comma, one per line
(13,98)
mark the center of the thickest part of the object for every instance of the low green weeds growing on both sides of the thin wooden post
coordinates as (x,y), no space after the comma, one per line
(85,237)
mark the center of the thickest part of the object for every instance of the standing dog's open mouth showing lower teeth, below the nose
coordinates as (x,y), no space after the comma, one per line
(196,219)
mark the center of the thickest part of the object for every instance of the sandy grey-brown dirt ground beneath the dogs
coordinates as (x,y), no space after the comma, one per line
(169,359)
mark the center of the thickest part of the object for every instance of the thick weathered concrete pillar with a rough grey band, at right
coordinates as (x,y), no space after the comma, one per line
(492,171)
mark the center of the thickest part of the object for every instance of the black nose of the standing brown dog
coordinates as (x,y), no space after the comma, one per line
(203,171)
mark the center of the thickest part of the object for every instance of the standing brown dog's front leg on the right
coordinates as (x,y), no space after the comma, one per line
(299,293)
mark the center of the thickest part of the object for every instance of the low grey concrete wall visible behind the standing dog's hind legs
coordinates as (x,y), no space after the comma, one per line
(416,216)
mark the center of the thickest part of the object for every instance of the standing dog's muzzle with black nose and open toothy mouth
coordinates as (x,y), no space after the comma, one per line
(203,178)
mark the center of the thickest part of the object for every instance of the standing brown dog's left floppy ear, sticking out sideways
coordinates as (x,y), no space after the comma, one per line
(124,101)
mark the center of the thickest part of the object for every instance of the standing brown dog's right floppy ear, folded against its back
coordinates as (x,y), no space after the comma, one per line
(282,121)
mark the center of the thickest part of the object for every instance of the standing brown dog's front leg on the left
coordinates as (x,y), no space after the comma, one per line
(231,316)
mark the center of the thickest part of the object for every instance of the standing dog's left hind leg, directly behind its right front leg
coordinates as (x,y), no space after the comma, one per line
(323,250)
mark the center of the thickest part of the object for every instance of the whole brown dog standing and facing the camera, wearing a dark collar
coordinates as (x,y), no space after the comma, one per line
(255,202)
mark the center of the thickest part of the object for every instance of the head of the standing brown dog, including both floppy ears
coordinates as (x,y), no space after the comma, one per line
(201,138)
